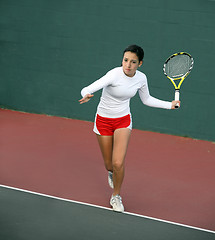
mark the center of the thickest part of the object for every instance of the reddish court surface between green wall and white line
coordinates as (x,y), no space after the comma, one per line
(167,177)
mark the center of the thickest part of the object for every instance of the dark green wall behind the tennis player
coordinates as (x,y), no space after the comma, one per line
(50,49)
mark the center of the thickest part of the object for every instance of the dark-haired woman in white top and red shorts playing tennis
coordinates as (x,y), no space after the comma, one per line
(113,122)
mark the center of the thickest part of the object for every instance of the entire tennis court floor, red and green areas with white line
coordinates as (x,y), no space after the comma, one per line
(54,185)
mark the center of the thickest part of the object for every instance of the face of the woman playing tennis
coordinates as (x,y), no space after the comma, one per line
(130,63)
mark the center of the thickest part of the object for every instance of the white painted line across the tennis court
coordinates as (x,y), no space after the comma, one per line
(105,208)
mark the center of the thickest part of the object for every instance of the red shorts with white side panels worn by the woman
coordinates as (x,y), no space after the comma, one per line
(107,126)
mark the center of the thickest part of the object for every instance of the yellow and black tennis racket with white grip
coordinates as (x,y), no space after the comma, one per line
(177,67)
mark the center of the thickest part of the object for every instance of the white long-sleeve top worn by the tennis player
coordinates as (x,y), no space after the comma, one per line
(118,89)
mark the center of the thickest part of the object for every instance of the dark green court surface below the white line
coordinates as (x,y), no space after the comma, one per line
(32,217)
